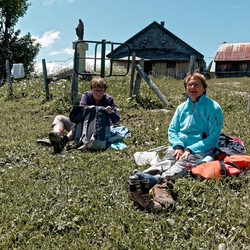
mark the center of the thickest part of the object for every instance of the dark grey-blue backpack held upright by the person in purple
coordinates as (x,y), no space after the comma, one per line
(90,127)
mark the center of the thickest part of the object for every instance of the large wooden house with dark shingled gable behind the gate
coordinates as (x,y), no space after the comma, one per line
(164,53)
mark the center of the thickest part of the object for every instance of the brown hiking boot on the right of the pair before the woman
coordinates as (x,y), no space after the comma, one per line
(162,193)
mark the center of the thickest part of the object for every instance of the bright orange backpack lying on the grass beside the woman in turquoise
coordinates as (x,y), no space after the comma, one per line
(233,165)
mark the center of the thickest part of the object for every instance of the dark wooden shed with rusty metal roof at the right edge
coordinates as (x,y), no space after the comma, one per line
(232,60)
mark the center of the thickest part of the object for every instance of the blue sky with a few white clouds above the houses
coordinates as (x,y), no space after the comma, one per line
(201,24)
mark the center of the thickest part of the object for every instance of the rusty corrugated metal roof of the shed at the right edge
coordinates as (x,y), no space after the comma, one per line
(233,52)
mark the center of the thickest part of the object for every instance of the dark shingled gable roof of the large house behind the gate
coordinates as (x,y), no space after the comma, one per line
(157,43)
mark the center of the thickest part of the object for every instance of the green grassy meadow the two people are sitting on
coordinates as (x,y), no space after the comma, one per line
(79,200)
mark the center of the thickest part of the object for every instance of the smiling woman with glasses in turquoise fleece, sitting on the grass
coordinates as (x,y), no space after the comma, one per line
(193,134)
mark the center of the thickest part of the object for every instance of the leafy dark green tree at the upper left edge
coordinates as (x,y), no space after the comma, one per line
(12,47)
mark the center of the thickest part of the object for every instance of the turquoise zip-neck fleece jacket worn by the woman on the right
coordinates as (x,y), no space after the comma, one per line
(196,126)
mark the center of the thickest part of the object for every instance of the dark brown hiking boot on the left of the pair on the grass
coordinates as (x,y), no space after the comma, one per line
(139,193)
